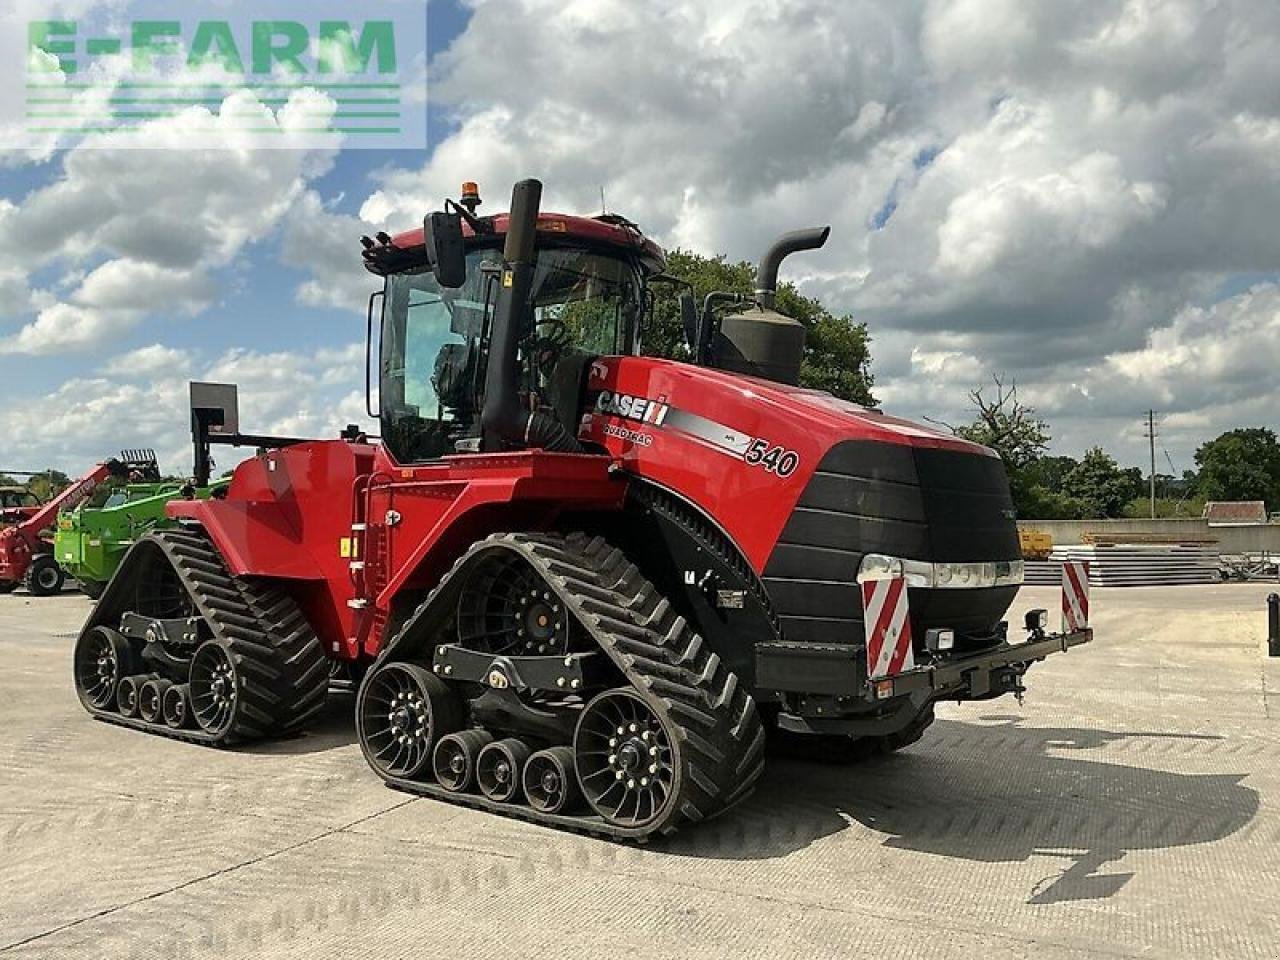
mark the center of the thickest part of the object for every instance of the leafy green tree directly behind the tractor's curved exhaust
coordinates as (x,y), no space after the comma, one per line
(838,350)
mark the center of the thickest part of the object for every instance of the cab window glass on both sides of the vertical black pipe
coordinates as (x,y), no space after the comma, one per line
(584,305)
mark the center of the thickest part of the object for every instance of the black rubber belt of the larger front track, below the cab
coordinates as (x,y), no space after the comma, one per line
(715,720)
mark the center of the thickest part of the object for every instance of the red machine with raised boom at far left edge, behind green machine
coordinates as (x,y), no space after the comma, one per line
(28,548)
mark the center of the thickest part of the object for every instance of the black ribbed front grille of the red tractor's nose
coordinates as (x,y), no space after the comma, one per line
(911,502)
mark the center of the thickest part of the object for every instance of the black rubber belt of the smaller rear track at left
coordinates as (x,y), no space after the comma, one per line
(282,664)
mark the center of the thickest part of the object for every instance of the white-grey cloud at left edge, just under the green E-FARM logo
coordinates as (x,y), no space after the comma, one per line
(152,228)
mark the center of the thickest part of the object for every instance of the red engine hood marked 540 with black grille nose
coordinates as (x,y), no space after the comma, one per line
(815,491)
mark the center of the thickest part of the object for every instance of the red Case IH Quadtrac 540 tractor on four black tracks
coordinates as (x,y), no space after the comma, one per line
(584,582)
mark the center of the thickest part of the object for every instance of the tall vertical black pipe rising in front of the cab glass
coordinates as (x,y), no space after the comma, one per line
(504,420)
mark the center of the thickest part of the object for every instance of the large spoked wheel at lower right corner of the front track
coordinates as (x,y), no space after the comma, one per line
(628,762)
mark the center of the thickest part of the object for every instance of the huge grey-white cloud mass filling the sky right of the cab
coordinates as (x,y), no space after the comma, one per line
(1017,189)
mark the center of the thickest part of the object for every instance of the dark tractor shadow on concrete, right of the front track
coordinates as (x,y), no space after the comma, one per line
(999,793)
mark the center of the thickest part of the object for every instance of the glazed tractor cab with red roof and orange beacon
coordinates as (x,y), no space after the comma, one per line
(587,298)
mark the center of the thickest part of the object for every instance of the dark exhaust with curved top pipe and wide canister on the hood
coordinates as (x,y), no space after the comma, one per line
(762,342)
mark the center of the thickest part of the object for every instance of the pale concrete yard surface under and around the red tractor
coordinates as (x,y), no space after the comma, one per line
(1131,808)
